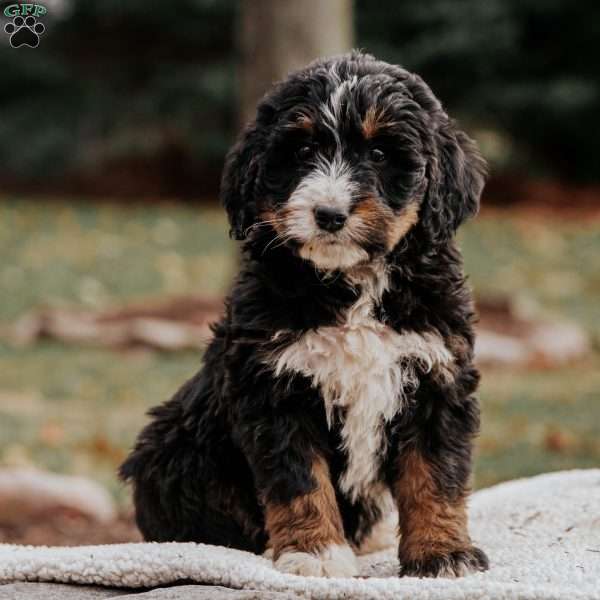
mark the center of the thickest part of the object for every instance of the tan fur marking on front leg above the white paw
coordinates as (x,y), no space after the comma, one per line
(308,523)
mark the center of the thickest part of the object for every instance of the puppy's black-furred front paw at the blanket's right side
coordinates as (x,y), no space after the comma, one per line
(455,564)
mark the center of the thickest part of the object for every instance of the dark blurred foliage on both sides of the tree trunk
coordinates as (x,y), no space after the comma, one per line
(141,94)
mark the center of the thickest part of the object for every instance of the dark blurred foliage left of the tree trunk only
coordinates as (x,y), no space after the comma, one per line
(143,84)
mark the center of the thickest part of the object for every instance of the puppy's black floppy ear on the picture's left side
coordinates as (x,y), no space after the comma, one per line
(238,181)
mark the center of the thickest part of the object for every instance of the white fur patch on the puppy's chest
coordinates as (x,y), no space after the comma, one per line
(366,368)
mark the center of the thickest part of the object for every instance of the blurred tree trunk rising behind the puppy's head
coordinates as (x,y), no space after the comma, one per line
(278,36)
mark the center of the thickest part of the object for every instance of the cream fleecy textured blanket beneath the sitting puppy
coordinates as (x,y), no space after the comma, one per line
(542,536)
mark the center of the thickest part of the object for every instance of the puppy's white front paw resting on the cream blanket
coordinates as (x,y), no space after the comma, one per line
(333,561)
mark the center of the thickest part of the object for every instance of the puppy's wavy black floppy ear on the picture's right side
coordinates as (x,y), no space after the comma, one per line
(456,179)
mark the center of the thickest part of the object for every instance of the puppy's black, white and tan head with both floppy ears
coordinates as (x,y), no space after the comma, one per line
(344,158)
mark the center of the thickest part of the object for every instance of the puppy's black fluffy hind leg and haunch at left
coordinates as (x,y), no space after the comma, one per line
(190,487)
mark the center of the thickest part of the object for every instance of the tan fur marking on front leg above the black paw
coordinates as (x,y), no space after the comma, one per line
(429,524)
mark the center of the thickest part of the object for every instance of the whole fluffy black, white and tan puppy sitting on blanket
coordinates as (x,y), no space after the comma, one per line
(339,384)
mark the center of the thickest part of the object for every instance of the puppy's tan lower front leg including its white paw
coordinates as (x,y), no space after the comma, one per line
(306,532)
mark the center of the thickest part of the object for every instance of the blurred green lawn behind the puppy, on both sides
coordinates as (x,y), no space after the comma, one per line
(77,410)
